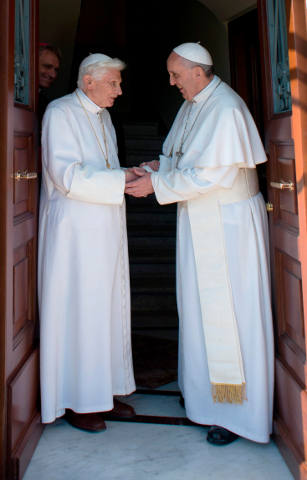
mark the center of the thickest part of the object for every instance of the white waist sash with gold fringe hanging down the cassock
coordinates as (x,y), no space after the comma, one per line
(219,322)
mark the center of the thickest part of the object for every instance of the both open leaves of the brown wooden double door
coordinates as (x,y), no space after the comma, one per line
(285,142)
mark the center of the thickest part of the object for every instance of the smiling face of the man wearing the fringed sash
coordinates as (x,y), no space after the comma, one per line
(185,78)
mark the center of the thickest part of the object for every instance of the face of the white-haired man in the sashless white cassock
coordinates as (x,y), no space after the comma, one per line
(103,91)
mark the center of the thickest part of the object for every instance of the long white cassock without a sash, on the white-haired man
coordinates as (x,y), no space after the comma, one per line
(83,271)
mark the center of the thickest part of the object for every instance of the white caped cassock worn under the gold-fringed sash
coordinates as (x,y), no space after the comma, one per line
(221,146)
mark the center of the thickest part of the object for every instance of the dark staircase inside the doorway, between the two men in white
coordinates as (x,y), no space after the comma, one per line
(151,240)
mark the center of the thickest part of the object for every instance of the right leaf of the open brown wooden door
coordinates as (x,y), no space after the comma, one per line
(286,146)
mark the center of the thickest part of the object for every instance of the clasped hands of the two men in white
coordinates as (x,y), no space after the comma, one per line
(138,180)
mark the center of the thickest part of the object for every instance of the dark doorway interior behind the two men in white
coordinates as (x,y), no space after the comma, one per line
(142,126)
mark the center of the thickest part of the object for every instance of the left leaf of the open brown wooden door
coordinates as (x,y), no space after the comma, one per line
(19,390)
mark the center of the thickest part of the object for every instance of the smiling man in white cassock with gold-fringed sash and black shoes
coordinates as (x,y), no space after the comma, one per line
(208,166)
